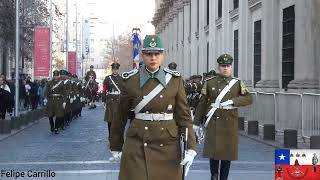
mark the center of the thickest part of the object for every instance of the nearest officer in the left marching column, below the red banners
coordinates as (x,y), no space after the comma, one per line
(54,98)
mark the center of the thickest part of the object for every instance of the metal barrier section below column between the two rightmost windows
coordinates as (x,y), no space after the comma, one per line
(266,108)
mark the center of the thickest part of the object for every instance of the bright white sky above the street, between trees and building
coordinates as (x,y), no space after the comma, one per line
(124,14)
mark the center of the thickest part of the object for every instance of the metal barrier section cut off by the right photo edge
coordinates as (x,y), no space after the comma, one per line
(310,114)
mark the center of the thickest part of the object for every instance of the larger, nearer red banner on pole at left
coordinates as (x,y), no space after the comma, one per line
(41,52)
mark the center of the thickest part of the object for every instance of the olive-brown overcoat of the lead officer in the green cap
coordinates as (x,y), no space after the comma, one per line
(151,150)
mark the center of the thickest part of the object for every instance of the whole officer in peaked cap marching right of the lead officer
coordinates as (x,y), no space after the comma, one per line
(221,96)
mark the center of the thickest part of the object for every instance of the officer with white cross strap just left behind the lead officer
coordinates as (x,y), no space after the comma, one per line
(111,95)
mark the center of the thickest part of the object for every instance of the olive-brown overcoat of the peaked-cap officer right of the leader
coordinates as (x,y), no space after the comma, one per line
(221,138)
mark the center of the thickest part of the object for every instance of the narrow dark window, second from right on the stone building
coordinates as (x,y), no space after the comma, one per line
(257,53)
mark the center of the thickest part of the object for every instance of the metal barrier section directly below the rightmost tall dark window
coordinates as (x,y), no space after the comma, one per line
(289,111)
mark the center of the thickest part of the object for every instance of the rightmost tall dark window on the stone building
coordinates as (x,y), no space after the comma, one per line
(288,46)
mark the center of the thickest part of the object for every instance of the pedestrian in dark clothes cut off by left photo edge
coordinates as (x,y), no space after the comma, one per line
(4,98)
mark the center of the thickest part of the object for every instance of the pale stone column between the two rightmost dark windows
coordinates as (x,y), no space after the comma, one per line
(269,47)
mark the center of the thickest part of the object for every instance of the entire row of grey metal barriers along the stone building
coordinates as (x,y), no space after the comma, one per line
(286,110)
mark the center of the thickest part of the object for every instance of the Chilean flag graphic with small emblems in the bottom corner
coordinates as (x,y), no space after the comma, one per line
(291,164)
